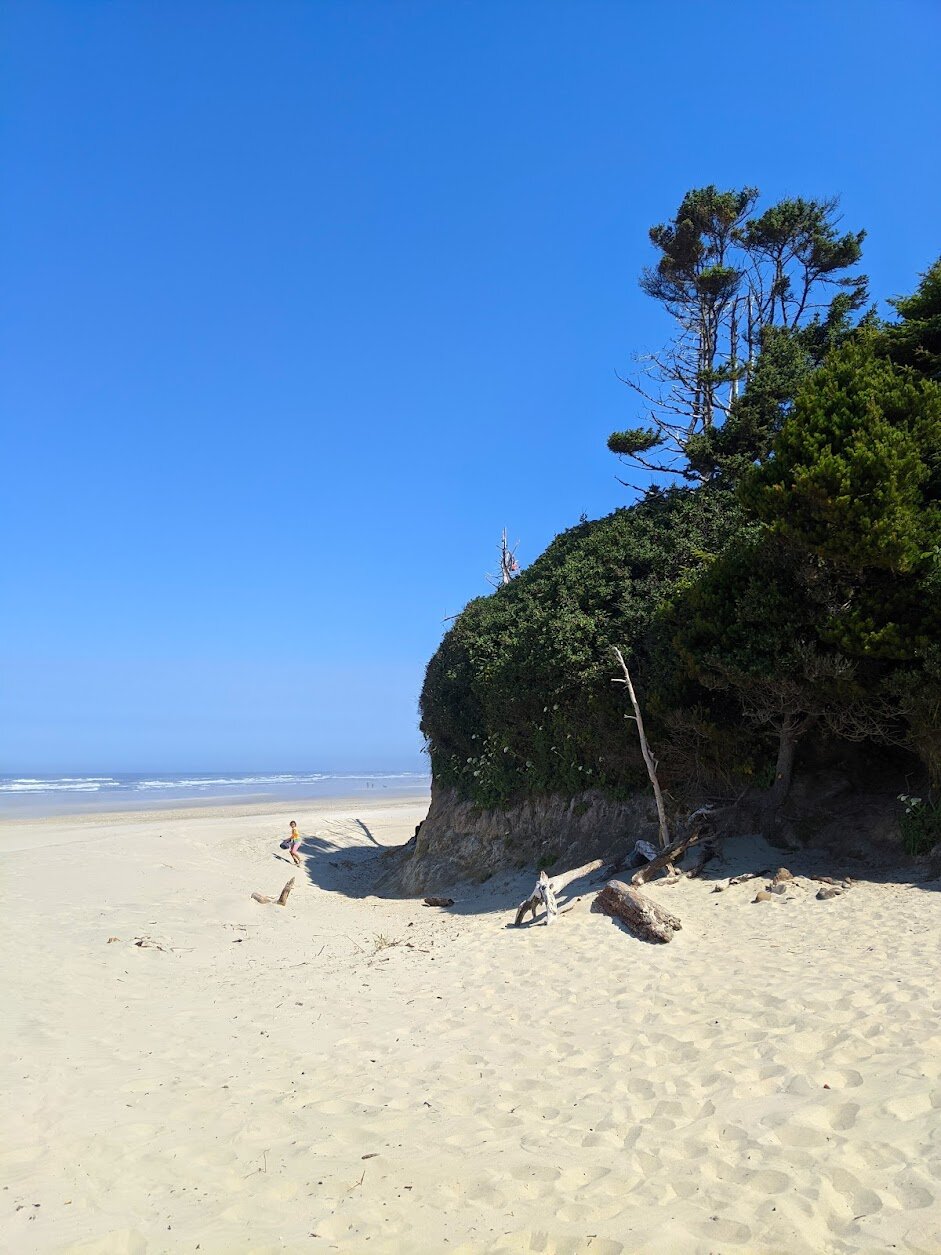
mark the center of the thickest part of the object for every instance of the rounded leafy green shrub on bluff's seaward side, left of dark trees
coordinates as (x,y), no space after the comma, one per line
(519,700)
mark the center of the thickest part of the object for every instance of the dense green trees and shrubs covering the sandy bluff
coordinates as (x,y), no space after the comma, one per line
(790,585)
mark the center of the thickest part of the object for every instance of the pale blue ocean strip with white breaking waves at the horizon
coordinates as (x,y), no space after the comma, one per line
(40,796)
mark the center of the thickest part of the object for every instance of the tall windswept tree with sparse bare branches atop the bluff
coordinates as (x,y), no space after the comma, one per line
(728,277)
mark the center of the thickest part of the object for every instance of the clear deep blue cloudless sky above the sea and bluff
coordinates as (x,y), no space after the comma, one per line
(303,303)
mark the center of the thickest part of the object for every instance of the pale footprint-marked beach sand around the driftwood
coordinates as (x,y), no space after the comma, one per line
(285,1081)
